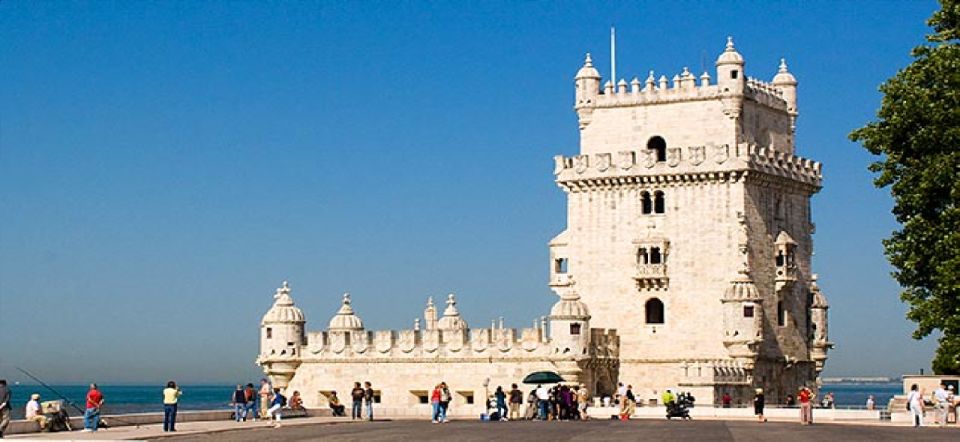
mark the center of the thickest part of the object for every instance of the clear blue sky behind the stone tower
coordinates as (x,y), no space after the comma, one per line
(165,165)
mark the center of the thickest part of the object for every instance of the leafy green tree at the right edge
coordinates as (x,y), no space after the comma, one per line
(917,138)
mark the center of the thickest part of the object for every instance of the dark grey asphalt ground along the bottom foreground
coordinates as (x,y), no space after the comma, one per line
(659,430)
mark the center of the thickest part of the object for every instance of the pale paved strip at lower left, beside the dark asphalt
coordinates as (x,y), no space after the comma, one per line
(186,430)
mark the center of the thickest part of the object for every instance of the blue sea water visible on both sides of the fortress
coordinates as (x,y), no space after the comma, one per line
(122,399)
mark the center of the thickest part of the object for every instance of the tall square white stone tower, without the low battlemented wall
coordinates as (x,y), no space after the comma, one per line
(689,230)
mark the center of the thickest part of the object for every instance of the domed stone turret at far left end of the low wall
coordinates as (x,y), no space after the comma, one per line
(281,337)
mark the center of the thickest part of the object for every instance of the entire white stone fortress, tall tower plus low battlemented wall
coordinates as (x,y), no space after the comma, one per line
(685,263)
